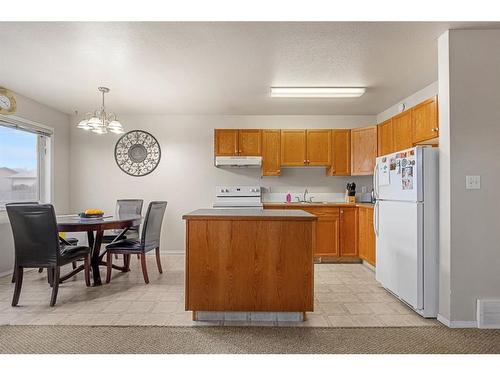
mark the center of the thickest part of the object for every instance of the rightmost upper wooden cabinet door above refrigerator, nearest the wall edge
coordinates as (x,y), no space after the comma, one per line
(425,121)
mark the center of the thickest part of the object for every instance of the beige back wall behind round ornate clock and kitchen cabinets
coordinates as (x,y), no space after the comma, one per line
(186,176)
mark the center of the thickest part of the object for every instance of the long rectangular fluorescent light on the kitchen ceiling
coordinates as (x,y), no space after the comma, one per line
(317,92)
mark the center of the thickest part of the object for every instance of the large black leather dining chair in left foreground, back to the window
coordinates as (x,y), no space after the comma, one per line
(37,244)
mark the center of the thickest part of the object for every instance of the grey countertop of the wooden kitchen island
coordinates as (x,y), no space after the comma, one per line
(251,214)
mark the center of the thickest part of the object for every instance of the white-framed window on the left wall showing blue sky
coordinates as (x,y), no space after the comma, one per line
(24,167)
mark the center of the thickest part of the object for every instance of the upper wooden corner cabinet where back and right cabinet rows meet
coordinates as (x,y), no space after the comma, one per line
(363,150)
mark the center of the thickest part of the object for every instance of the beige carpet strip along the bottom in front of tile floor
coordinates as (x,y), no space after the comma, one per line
(112,339)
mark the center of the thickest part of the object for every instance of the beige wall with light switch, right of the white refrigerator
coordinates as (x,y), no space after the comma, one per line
(472,97)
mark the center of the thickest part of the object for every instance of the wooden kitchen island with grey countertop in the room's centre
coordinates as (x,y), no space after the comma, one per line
(249,260)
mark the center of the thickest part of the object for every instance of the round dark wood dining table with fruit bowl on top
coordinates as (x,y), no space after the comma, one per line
(95,227)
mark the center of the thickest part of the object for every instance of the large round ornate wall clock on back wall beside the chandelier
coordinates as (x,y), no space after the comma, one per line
(137,153)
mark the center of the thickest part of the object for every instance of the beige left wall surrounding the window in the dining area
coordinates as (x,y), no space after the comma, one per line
(31,110)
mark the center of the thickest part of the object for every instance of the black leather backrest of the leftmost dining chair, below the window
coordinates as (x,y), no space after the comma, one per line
(36,239)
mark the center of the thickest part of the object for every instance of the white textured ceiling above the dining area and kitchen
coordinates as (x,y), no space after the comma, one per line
(218,68)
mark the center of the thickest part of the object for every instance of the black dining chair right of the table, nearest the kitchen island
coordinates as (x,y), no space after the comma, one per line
(150,240)
